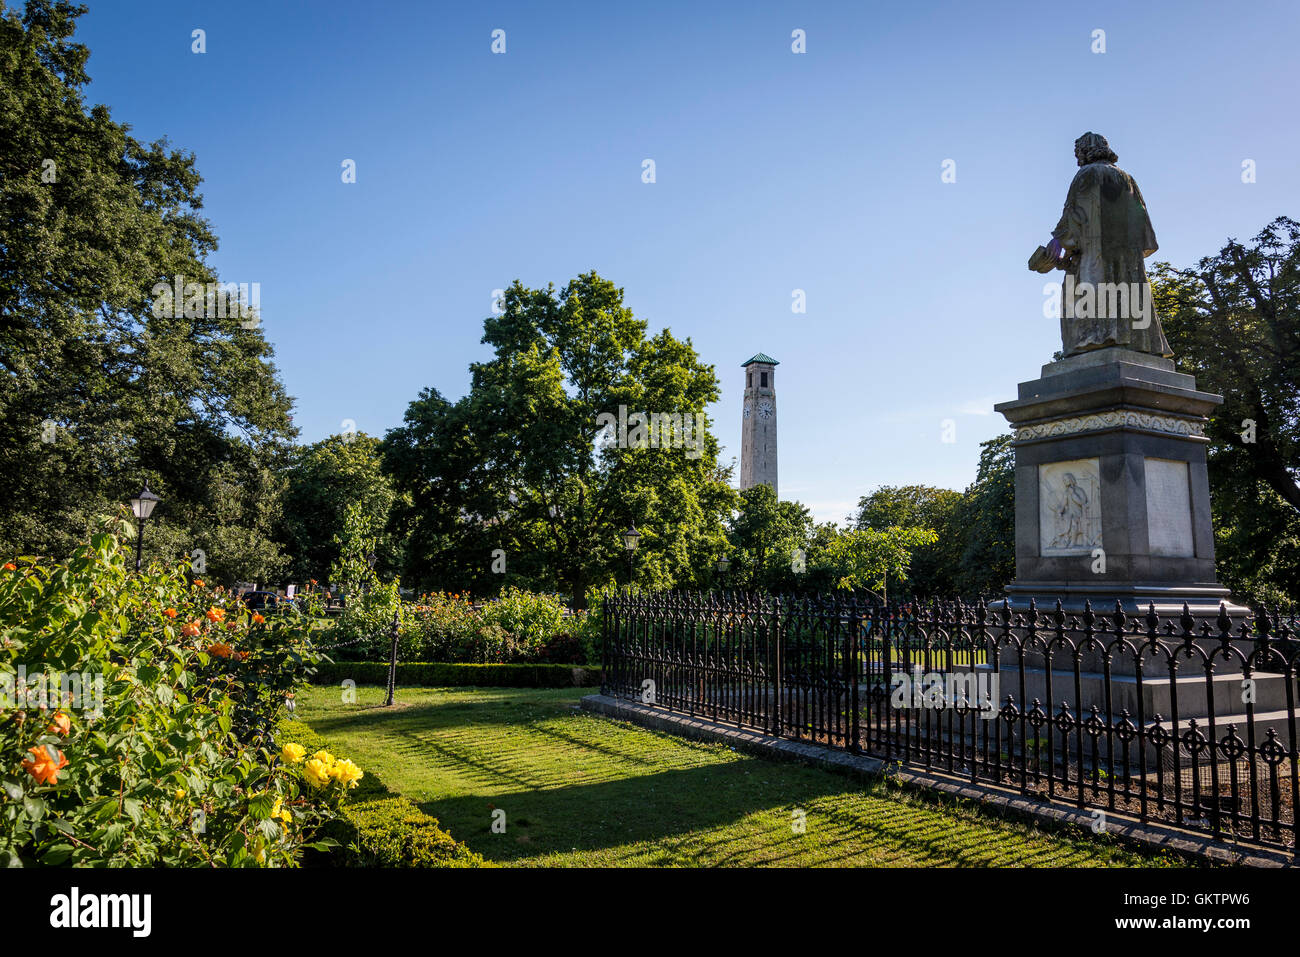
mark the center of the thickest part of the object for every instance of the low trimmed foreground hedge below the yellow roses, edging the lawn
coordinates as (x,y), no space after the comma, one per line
(379,829)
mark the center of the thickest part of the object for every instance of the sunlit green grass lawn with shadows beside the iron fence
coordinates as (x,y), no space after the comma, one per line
(586,791)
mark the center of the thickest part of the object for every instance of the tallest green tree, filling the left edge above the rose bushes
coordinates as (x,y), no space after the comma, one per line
(97,392)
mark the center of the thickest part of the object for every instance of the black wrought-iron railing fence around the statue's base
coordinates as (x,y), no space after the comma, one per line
(1184,721)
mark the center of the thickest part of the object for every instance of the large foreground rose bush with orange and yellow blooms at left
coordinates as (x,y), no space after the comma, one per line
(162,752)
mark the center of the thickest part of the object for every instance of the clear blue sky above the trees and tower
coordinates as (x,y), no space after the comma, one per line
(775,172)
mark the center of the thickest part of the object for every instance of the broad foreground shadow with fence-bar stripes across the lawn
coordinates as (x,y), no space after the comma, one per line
(697,817)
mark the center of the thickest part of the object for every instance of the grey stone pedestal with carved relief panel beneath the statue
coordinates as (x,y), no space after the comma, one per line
(1112,493)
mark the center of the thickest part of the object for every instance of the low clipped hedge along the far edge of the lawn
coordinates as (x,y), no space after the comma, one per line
(453,675)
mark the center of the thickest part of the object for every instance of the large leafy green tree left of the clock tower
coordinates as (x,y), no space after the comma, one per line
(518,471)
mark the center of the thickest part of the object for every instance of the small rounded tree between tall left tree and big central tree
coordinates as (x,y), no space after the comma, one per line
(327,479)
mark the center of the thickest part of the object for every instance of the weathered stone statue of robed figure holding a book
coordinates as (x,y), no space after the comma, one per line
(1100,243)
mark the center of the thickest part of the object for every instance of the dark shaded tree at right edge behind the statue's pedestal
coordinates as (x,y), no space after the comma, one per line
(1234,323)
